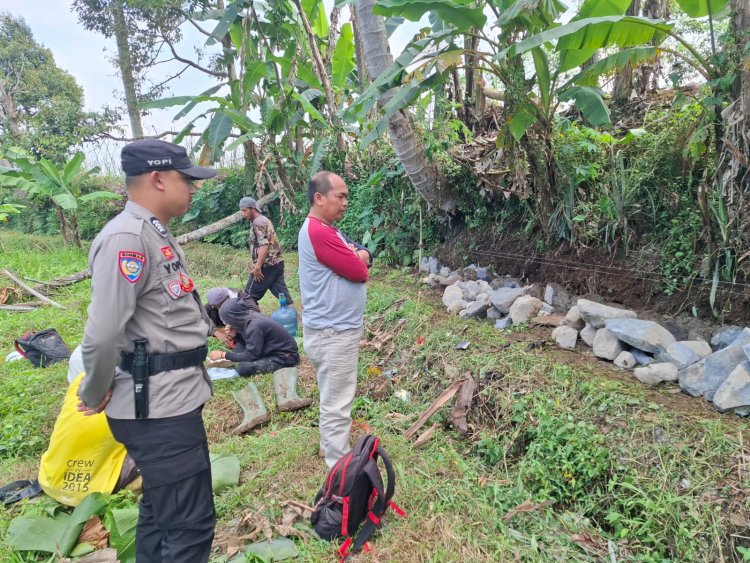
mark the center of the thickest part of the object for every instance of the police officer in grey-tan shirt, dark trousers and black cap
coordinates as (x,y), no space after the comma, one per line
(142,290)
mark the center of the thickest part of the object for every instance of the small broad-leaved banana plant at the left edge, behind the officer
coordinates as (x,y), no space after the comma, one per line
(41,179)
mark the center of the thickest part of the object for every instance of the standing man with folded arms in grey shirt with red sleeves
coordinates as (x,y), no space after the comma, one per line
(332,274)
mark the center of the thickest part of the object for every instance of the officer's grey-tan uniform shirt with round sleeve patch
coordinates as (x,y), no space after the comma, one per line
(141,289)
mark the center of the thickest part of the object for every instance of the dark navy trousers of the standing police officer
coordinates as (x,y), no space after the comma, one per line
(176,518)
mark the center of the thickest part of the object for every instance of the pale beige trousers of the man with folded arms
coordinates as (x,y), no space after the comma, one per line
(334,355)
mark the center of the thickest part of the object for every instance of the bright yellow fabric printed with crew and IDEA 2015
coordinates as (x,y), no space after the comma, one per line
(83,457)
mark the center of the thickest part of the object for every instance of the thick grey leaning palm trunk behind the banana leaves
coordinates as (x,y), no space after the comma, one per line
(427,179)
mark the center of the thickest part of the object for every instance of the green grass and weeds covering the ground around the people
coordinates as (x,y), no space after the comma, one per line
(605,464)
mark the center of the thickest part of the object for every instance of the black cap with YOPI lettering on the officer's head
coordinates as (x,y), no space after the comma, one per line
(146,155)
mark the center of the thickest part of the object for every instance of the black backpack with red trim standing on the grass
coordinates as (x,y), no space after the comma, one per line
(353,493)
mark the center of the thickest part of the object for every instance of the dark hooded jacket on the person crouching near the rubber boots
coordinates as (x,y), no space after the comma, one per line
(259,336)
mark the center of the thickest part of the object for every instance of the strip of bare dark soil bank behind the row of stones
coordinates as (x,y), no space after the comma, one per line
(631,281)
